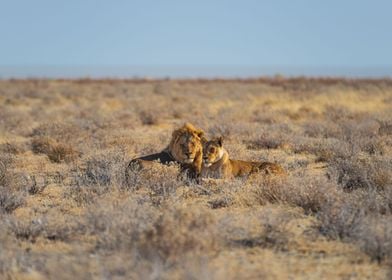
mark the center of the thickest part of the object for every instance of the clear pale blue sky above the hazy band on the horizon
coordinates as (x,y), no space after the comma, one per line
(293,33)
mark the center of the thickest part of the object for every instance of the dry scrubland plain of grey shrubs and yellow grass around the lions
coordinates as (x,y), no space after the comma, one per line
(66,211)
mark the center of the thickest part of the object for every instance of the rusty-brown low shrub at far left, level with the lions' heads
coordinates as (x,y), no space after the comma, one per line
(56,151)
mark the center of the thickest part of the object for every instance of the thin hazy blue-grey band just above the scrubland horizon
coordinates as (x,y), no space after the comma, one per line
(190,71)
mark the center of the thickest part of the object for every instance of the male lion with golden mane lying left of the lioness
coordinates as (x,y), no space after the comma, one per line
(185,148)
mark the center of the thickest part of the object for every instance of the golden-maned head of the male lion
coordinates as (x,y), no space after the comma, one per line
(186,144)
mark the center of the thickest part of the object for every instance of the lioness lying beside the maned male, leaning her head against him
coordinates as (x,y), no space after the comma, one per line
(217,163)
